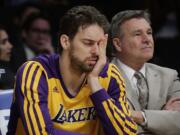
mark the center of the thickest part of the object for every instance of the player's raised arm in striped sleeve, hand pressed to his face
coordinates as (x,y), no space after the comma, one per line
(111,107)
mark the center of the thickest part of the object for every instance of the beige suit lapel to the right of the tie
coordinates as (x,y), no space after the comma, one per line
(154,86)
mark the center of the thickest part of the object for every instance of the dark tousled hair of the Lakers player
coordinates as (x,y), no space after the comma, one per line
(81,16)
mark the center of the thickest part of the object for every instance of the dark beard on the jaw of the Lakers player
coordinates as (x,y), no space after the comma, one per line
(79,65)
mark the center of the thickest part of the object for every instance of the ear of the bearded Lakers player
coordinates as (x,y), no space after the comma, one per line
(64,40)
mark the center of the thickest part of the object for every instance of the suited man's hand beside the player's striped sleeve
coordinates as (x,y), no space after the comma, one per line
(137,117)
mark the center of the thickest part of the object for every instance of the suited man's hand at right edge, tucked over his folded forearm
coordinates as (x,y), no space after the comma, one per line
(173,104)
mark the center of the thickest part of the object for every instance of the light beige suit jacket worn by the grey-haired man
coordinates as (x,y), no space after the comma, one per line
(163,84)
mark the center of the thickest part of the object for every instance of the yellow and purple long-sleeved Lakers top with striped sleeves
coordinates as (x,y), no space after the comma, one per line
(44,106)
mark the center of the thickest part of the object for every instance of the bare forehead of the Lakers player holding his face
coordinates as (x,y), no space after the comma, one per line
(92,32)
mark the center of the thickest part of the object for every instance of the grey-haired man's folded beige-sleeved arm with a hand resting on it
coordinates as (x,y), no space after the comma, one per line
(166,121)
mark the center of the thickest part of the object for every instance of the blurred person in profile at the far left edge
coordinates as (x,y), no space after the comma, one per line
(6,74)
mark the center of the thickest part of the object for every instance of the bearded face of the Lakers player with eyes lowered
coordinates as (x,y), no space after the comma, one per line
(83,50)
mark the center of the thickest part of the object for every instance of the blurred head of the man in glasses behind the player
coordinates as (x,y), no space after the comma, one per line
(36,34)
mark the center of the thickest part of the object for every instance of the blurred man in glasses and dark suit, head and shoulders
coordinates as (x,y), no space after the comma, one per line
(36,38)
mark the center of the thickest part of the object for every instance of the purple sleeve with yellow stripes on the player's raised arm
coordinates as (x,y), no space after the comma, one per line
(112,108)
